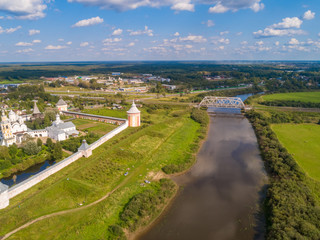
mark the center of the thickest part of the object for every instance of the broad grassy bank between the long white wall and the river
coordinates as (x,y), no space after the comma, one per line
(168,138)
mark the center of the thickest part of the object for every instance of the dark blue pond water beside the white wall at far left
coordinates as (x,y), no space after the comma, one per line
(23,175)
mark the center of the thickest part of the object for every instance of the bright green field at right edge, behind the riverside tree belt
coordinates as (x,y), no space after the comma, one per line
(302,142)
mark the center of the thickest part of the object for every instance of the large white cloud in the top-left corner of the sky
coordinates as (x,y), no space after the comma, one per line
(24,9)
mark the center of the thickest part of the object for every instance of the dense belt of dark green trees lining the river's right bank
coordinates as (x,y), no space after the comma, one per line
(291,207)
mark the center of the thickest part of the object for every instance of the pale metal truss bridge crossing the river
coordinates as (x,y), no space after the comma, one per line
(222,102)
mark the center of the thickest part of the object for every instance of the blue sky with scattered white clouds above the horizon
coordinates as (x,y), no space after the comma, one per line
(115,30)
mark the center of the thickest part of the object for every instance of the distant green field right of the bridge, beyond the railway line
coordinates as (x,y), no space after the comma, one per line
(297,96)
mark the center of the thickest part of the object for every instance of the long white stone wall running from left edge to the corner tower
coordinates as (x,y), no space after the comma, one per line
(19,188)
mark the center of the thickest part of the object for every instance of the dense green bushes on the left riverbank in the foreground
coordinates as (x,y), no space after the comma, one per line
(144,206)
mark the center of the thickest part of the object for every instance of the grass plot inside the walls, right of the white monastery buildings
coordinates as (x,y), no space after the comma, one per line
(93,126)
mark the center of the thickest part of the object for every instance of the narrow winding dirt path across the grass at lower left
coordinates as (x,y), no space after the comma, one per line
(63,212)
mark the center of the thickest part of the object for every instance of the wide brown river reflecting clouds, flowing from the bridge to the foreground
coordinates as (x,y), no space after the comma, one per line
(221,195)
